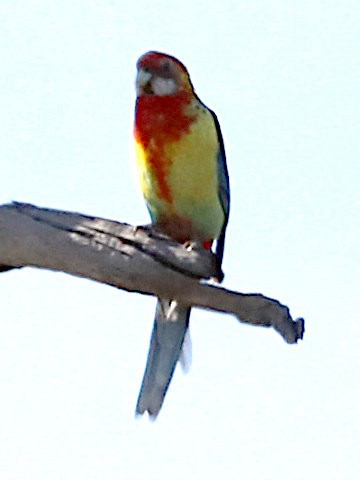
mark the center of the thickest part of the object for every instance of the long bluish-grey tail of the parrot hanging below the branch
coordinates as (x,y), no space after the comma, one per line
(170,326)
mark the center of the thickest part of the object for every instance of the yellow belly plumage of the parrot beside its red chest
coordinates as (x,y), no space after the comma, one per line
(191,174)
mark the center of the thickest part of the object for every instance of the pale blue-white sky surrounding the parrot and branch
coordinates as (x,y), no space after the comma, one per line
(283,77)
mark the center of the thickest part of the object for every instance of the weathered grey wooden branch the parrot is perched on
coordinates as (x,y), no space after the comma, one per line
(136,259)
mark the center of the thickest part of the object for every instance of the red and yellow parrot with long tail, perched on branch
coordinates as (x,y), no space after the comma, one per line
(184,179)
